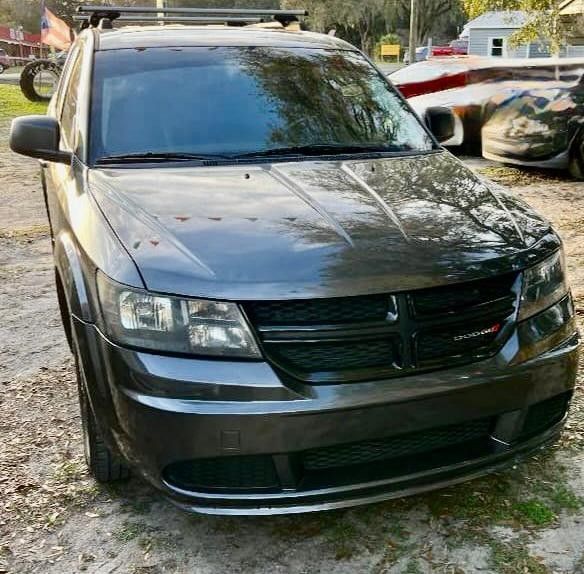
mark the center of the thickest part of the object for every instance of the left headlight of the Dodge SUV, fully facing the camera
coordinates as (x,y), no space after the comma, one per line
(140,319)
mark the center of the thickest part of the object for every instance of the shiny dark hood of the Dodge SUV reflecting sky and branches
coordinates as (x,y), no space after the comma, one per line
(316,228)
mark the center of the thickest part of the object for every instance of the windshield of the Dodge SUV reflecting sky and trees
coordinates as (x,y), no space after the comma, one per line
(240,101)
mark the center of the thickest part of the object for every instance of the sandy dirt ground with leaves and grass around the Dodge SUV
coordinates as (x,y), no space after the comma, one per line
(55,519)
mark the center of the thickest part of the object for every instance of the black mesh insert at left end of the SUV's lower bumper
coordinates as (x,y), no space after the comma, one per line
(229,472)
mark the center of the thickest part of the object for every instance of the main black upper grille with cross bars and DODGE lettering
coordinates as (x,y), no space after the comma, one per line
(378,336)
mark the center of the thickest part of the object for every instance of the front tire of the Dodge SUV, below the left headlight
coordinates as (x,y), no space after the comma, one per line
(104,465)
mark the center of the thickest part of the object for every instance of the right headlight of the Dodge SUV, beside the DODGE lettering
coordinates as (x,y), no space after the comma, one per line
(543,285)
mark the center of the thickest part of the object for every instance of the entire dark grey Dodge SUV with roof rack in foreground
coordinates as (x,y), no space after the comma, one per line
(281,292)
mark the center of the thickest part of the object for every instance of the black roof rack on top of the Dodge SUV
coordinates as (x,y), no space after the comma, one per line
(244,15)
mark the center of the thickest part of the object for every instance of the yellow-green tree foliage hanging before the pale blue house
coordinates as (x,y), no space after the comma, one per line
(544,22)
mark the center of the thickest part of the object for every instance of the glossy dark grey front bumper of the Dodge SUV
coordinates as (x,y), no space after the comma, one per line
(163,412)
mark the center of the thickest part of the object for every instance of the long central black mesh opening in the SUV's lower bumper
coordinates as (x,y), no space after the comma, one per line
(395,447)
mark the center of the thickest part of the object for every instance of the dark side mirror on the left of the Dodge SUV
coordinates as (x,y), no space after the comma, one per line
(39,137)
